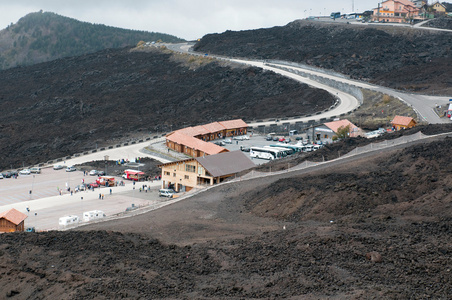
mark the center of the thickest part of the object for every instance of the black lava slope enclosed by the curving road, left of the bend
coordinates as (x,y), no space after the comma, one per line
(70,105)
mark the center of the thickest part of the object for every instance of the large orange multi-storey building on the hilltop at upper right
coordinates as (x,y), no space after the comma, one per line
(396,11)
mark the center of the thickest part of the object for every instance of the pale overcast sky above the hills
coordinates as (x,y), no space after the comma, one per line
(188,19)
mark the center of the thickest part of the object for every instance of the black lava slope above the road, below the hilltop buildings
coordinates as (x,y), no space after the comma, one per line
(398,57)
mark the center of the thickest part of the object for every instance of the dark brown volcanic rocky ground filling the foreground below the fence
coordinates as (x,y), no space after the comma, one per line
(371,227)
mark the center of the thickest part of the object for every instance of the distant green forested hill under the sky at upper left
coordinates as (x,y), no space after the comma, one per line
(45,36)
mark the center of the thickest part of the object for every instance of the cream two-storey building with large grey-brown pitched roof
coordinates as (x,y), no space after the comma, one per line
(187,174)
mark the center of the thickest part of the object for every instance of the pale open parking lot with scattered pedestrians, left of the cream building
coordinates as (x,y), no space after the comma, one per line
(45,204)
